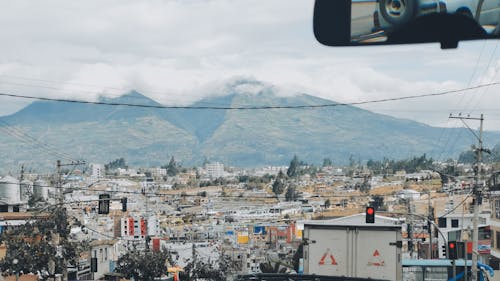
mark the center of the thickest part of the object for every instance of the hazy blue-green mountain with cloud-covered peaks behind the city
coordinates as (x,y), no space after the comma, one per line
(39,133)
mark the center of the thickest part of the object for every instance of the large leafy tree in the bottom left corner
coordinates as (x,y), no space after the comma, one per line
(34,244)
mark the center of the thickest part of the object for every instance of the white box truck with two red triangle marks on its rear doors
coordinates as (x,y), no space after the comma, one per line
(352,248)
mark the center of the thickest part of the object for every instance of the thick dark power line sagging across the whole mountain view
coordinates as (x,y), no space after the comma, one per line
(265,107)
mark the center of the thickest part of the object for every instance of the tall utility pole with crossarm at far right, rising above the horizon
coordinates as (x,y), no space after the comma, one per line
(476,188)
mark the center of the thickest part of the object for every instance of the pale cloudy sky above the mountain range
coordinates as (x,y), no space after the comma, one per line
(178,51)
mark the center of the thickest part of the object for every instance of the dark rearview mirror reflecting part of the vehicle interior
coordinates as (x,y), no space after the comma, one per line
(382,22)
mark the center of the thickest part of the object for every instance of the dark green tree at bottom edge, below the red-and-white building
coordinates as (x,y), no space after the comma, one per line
(144,265)
